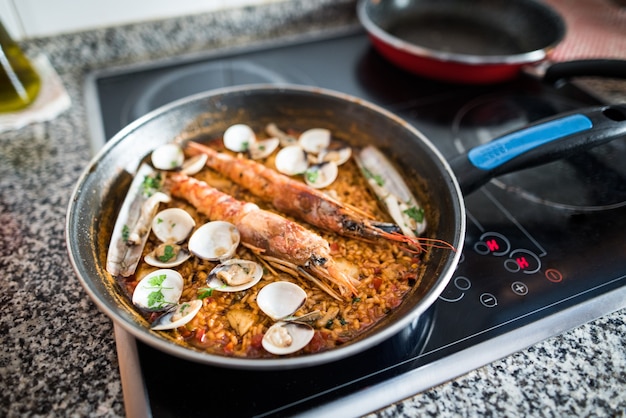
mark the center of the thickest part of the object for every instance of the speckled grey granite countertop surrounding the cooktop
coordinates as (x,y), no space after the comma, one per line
(58,351)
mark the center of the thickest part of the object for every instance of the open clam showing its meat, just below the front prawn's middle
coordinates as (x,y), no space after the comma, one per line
(235,275)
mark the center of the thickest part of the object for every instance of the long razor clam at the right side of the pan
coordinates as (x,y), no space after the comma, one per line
(391,189)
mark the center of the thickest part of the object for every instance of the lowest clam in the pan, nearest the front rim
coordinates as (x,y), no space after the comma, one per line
(287,337)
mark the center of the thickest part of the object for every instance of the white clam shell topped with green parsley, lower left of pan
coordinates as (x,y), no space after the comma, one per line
(158,290)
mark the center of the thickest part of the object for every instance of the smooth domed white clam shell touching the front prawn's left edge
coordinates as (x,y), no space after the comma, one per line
(213,241)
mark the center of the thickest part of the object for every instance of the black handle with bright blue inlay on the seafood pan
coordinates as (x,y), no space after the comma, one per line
(540,143)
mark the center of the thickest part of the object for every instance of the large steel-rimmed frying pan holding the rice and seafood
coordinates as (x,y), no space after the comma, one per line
(101,188)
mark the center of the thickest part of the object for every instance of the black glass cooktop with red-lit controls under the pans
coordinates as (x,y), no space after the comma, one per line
(544,248)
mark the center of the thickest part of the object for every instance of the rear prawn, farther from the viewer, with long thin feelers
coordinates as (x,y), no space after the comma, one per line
(297,199)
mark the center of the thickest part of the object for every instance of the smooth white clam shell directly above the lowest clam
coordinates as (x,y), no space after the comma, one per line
(278,300)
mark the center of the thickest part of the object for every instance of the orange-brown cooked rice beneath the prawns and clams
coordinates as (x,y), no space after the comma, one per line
(386,273)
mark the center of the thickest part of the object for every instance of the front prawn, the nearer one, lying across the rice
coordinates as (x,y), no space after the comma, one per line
(286,245)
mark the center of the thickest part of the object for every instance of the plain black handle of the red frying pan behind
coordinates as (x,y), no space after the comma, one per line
(612,68)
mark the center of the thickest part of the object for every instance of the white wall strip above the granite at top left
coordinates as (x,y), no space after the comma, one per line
(36,18)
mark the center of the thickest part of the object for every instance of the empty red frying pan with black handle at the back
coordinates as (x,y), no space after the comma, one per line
(474,42)
